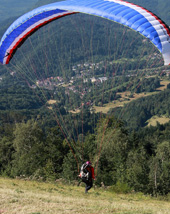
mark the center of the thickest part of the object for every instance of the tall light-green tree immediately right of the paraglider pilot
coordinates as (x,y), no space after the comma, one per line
(113,145)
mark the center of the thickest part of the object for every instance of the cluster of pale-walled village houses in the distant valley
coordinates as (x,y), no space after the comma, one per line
(86,72)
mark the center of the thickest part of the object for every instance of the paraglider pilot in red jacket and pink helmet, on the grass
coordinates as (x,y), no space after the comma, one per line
(87,175)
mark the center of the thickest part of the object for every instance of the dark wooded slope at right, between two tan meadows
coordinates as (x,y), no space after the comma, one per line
(137,113)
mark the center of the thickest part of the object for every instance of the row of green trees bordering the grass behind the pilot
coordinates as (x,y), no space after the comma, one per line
(140,161)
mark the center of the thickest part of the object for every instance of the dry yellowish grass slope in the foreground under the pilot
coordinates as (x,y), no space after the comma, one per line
(31,197)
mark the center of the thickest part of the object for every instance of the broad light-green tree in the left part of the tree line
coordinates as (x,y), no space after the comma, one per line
(29,155)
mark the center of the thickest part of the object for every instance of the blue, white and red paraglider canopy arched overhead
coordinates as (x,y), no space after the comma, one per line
(128,14)
